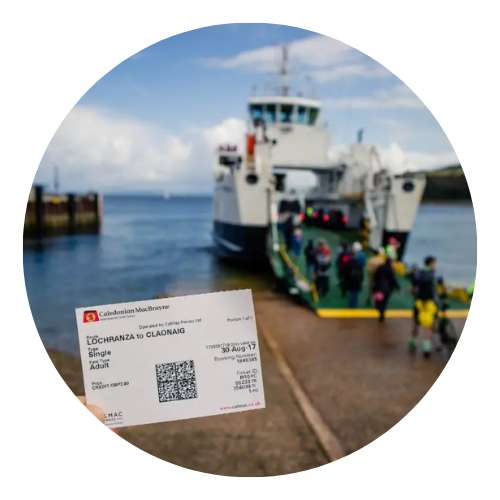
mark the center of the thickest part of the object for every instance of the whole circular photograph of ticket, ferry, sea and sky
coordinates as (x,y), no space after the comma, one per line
(250,250)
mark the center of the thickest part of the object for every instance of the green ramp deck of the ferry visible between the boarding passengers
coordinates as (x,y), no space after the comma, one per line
(401,299)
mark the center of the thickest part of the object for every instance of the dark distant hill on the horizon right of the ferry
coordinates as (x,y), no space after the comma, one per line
(446,184)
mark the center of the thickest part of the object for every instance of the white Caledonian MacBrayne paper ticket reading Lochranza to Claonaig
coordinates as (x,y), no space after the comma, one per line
(170,359)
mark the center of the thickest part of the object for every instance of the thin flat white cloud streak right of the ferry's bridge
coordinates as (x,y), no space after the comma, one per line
(397,97)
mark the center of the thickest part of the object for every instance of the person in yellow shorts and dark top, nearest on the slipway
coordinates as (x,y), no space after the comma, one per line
(425,310)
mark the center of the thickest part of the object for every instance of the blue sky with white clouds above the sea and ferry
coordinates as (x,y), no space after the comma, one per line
(152,123)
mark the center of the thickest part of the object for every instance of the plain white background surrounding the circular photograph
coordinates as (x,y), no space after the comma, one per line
(52,52)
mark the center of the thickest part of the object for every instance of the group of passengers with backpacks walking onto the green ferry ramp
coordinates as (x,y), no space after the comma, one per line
(351,266)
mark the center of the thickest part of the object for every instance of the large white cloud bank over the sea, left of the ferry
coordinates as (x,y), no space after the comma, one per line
(95,149)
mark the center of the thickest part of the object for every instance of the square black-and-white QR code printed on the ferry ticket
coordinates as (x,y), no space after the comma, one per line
(176,381)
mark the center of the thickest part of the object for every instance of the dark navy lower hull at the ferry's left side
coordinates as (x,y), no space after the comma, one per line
(243,243)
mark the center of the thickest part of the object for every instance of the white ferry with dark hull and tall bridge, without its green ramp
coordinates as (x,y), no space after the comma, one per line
(286,133)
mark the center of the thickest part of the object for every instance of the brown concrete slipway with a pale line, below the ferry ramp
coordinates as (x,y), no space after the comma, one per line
(332,386)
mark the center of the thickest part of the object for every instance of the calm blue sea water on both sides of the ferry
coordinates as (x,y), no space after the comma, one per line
(151,246)
